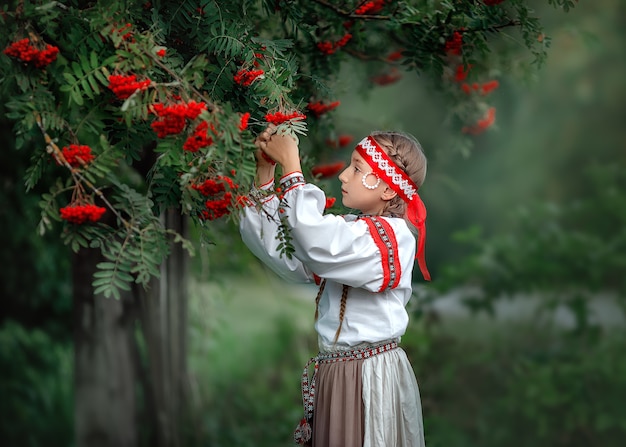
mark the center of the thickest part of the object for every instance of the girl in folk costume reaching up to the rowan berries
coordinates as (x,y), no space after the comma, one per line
(363,390)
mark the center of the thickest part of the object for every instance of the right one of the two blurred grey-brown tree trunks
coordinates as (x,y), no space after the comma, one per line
(164,321)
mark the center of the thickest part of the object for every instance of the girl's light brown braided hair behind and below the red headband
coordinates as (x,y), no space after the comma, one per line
(407,153)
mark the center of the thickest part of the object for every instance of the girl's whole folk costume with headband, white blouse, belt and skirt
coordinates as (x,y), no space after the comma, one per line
(362,390)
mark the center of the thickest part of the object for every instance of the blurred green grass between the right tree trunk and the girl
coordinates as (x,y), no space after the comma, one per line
(250,336)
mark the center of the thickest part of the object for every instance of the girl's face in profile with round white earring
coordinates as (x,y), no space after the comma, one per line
(355,194)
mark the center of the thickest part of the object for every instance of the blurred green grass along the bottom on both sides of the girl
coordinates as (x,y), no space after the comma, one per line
(483,384)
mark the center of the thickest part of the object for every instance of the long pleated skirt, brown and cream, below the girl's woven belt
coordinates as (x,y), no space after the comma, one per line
(372,402)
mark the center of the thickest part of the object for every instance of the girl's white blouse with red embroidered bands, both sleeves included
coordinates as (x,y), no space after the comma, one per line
(373,255)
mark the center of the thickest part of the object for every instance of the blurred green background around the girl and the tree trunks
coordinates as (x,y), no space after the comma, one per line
(518,341)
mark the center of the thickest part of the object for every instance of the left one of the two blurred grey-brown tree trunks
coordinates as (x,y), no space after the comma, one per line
(104,385)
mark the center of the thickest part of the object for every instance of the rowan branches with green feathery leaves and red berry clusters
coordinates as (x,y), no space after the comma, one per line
(139,106)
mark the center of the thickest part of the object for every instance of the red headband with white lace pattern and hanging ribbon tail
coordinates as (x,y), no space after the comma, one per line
(385,168)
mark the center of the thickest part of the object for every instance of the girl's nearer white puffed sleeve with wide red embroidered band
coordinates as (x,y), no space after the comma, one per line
(362,253)
